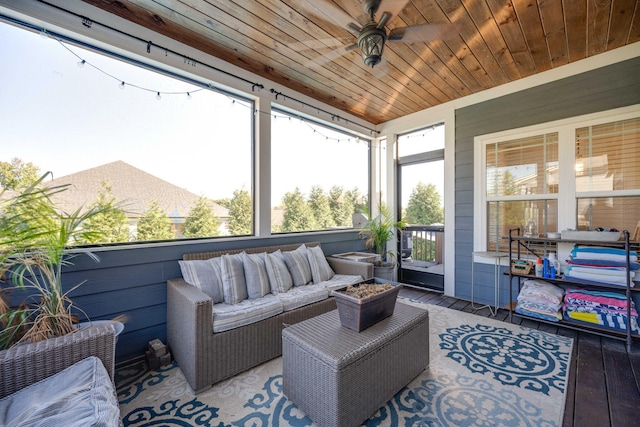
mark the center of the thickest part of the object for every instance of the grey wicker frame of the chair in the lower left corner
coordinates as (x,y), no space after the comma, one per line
(23,365)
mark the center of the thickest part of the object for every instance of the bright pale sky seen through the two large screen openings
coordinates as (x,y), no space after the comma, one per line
(64,118)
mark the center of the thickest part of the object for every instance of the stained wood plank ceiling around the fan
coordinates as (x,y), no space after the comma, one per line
(301,44)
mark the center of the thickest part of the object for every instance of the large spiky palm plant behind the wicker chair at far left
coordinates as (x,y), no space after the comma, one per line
(34,248)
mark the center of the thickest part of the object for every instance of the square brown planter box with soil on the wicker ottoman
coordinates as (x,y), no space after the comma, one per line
(358,314)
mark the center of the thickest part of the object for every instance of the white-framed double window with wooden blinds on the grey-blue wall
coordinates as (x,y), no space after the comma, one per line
(578,173)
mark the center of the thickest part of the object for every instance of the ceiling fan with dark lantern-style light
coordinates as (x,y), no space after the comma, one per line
(372,35)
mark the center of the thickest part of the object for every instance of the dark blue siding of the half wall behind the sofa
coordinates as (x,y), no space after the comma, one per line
(132,281)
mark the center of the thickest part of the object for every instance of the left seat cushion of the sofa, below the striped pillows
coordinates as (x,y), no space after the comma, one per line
(230,316)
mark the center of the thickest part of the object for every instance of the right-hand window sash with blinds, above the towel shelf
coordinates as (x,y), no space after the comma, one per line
(608,160)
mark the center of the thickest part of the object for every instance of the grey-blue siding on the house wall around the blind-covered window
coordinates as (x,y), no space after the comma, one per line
(602,89)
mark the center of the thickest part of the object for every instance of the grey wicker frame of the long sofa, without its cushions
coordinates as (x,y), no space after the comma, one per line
(207,357)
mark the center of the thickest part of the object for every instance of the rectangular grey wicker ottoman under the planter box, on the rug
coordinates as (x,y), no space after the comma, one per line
(339,377)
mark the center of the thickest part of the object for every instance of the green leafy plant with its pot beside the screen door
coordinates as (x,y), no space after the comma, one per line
(378,231)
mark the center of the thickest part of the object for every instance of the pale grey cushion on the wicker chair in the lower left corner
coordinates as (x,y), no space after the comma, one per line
(80,395)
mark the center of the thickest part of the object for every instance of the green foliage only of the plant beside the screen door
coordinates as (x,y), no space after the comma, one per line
(379,230)
